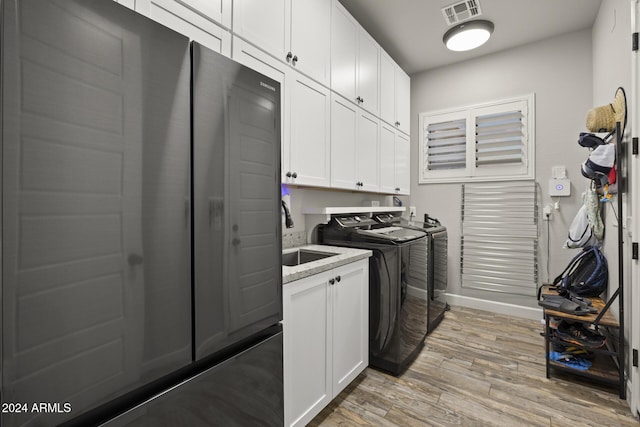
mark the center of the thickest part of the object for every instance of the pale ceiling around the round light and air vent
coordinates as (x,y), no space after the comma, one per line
(411,30)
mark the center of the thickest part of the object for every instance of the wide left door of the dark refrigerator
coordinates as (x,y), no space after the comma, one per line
(96,276)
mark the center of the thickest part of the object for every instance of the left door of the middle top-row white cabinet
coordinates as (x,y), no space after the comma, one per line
(344,45)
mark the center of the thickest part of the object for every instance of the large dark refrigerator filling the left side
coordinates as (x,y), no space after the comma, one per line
(141,277)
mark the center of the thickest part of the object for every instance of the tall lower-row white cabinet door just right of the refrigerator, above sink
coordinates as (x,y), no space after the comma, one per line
(310,106)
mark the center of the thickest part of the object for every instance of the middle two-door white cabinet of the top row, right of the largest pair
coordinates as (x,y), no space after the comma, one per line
(355,61)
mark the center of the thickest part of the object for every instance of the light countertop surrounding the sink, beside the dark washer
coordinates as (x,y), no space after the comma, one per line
(344,256)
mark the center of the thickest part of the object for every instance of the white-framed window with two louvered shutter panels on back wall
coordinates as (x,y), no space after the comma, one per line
(493,141)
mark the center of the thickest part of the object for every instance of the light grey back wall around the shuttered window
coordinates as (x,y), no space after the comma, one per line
(558,71)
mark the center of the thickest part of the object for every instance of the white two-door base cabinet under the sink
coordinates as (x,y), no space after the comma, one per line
(326,338)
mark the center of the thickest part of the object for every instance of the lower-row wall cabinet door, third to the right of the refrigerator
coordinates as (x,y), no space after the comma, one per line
(367,152)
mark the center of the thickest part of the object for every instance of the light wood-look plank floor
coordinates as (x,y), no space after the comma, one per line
(477,369)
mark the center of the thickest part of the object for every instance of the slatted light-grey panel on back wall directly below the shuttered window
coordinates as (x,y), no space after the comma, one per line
(499,242)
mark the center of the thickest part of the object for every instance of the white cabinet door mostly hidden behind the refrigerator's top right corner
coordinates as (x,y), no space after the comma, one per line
(256,59)
